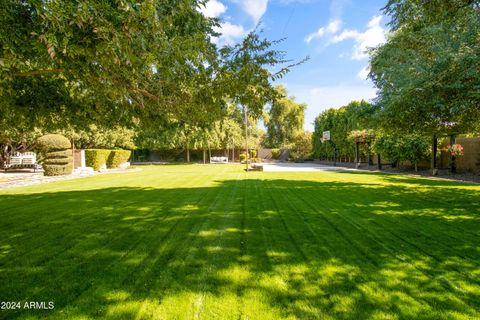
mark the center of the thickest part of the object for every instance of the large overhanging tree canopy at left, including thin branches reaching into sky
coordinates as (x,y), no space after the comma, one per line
(153,62)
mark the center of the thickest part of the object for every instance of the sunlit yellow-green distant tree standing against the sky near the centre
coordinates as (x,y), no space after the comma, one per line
(285,120)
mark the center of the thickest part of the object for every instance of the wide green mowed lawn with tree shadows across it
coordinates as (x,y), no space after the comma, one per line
(213,242)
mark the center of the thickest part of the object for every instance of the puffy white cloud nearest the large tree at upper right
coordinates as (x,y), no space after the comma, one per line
(371,37)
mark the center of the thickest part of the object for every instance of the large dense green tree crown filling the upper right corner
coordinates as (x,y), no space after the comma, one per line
(427,71)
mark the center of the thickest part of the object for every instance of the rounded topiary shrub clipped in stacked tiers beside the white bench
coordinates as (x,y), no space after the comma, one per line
(56,156)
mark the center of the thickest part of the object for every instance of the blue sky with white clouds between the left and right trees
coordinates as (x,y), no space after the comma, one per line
(334,33)
